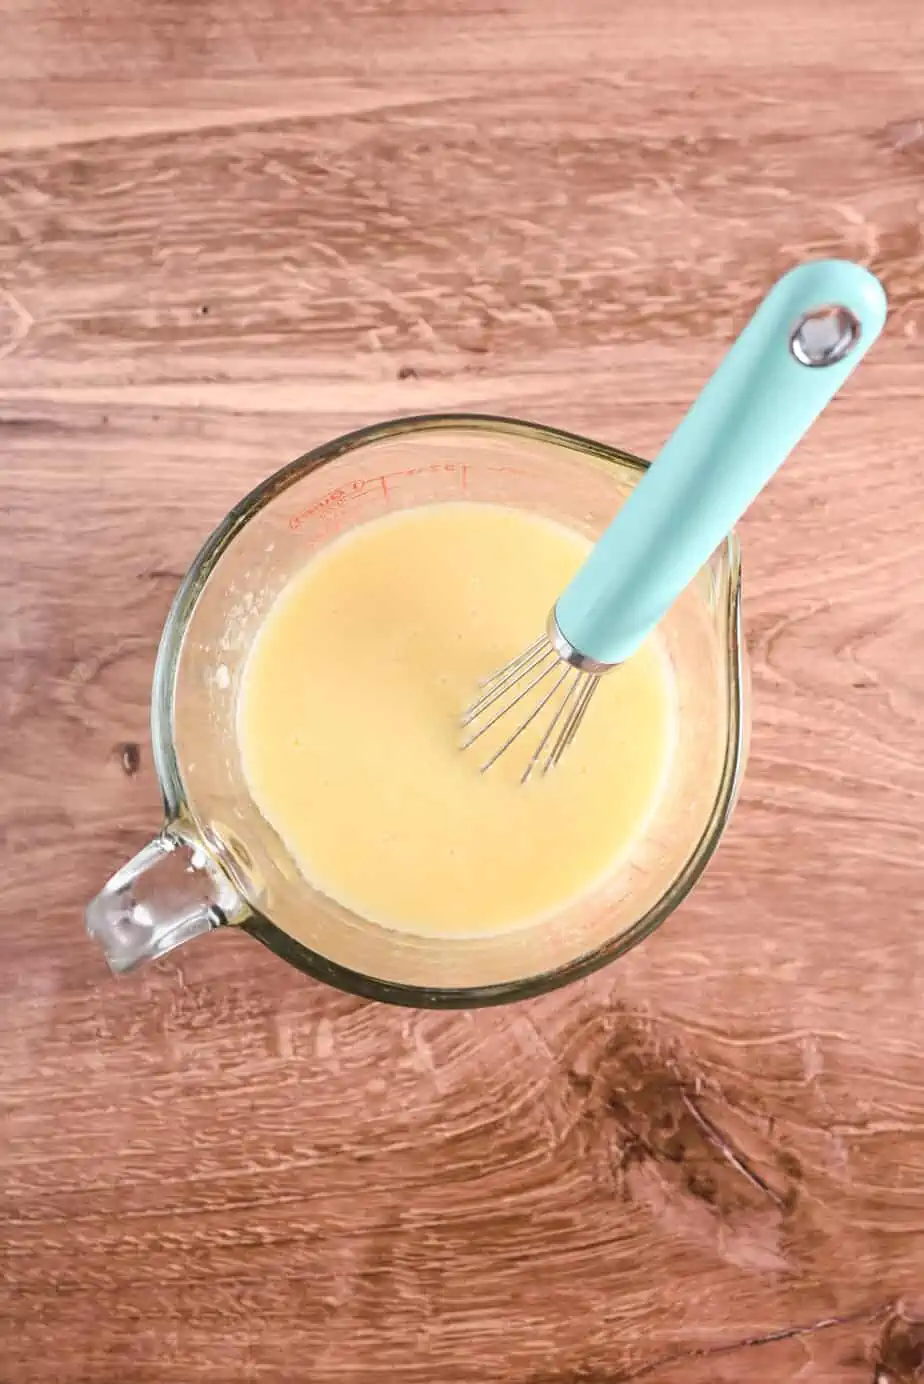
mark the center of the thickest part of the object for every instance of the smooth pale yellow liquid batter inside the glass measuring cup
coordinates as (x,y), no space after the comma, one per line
(349,727)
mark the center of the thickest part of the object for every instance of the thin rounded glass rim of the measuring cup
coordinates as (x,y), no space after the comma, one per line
(179,812)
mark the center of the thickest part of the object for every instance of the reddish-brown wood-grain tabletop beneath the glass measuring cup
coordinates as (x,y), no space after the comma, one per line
(229,232)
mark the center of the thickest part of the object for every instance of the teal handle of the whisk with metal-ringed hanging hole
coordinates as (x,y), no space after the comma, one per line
(807,337)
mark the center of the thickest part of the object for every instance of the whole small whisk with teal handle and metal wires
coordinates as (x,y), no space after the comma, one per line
(807,337)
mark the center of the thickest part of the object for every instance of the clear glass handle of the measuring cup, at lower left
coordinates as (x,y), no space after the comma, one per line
(169,893)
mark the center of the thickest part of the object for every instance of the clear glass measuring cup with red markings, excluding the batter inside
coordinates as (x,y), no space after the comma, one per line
(218,863)
